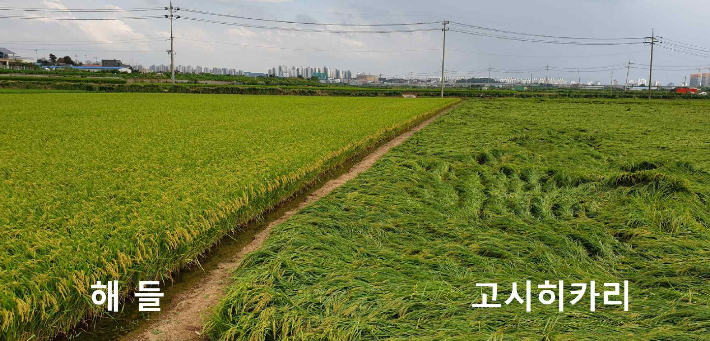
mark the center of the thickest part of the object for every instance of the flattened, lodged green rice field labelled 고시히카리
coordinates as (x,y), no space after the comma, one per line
(502,191)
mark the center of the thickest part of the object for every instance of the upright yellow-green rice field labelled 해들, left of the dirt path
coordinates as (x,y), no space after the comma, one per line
(132,187)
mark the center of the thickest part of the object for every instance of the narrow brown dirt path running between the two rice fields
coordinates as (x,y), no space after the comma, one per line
(182,321)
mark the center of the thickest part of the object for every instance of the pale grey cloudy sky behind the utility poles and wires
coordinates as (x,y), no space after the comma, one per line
(418,53)
